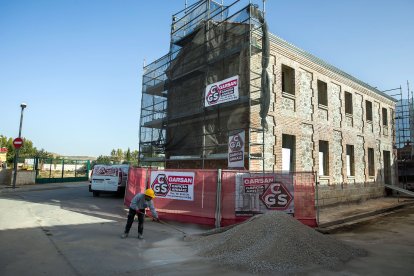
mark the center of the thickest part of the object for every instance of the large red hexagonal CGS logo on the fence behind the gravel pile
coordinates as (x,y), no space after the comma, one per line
(276,197)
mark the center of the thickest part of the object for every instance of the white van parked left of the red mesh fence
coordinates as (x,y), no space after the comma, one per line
(109,179)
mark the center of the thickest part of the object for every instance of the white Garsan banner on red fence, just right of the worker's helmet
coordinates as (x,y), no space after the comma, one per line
(173,185)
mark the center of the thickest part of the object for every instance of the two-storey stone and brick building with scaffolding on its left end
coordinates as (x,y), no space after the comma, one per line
(226,74)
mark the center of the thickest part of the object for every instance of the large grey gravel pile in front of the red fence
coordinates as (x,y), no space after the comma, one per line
(274,242)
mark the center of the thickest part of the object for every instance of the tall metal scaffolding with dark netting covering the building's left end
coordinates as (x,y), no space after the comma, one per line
(210,42)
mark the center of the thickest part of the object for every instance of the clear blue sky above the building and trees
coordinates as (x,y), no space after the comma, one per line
(77,64)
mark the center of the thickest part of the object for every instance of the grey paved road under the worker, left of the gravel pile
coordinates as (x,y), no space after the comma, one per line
(67,231)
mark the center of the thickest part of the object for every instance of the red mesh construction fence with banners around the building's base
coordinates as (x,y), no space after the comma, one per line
(200,189)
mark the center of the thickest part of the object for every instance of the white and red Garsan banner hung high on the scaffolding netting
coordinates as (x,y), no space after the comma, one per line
(223,91)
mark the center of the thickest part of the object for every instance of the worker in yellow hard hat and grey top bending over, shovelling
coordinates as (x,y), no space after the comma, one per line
(137,207)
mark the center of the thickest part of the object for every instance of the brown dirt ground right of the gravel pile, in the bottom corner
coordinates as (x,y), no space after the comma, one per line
(389,241)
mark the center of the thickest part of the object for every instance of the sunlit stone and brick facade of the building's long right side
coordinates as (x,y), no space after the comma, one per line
(300,114)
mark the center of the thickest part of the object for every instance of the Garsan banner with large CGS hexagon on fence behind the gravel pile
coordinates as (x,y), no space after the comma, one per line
(261,193)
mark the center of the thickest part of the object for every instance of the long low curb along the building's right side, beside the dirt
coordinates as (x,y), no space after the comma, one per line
(337,225)
